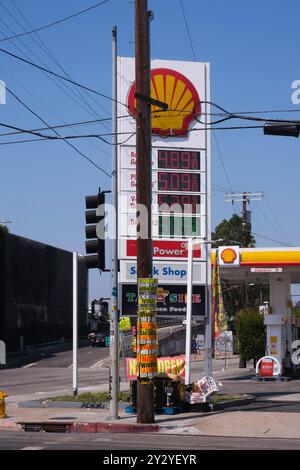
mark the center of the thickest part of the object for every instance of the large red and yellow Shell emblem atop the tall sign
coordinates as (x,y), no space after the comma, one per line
(181,96)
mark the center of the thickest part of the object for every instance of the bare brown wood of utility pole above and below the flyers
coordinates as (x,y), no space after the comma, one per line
(145,387)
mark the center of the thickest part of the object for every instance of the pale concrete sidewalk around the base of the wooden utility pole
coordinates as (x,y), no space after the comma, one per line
(242,421)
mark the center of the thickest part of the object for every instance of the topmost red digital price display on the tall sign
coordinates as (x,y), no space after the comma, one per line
(178,160)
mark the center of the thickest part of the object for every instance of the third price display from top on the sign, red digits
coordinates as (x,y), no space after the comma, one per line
(187,203)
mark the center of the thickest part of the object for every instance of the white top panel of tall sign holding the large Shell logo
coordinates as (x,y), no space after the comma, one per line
(182,79)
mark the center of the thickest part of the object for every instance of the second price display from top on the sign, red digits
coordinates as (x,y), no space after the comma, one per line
(179,182)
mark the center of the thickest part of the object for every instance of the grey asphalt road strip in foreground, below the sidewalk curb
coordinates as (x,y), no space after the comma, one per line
(12,440)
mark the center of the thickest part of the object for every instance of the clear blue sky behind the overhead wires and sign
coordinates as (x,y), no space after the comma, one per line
(252,48)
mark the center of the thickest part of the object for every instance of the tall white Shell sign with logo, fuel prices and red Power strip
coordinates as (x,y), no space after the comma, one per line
(180,164)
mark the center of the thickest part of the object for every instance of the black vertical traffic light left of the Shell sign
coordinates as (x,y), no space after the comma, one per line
(94,231)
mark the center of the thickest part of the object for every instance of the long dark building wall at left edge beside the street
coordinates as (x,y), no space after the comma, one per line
(36,293)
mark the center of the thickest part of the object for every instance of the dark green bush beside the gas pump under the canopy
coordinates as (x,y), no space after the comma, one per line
(250,331)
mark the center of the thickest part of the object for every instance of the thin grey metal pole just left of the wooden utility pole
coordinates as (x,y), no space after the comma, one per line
(114,321)
